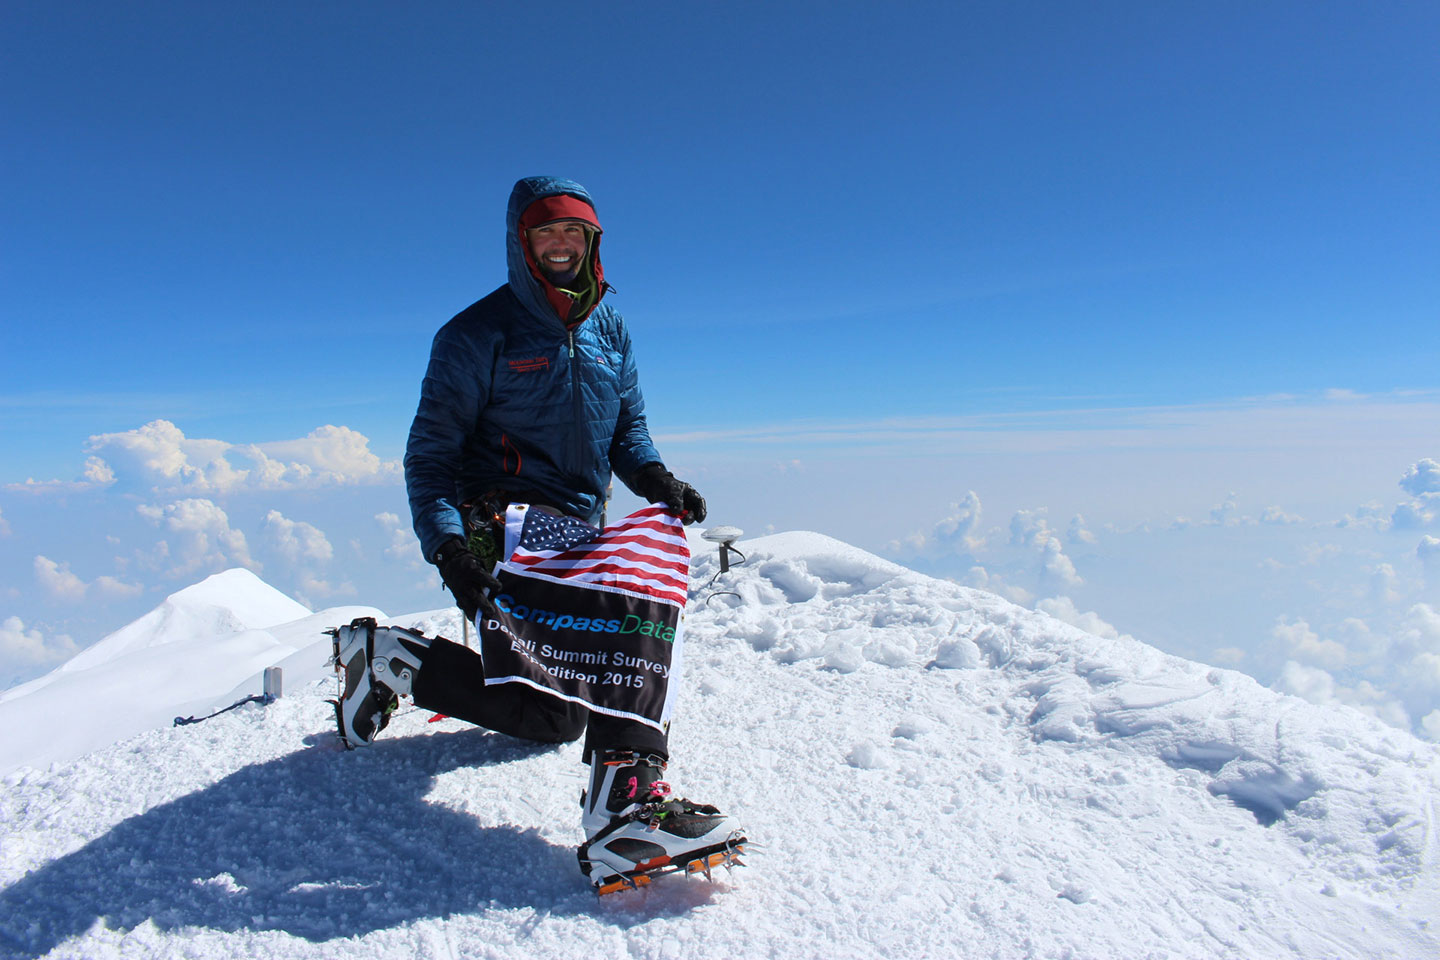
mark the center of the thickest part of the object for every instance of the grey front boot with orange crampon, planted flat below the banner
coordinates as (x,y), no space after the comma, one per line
(636,830)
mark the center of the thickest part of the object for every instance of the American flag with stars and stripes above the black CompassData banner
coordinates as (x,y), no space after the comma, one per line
(646,553)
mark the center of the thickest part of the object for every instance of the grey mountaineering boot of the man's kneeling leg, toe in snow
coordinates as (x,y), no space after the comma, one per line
(378,666)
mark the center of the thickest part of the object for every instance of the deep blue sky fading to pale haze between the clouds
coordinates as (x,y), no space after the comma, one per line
(1114,260)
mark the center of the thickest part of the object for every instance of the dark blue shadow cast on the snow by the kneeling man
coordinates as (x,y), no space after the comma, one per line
(316,844)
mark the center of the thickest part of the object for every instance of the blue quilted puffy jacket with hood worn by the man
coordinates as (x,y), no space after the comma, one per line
(518,401)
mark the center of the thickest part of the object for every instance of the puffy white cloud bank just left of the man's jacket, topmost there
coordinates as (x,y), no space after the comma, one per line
(162,458)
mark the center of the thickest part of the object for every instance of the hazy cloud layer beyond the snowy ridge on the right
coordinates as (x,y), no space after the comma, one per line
(1353,601)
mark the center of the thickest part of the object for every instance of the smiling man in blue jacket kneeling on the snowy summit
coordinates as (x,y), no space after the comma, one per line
(532,397)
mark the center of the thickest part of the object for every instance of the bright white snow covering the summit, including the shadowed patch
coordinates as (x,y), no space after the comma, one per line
(928,771)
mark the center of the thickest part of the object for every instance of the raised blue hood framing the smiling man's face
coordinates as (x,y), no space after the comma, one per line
(535,291)
